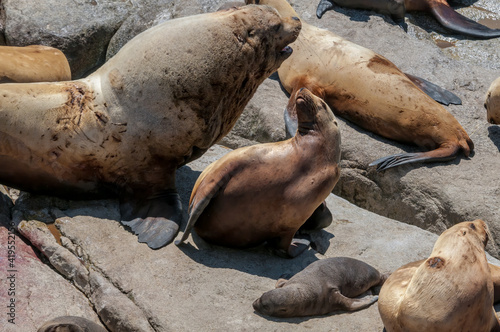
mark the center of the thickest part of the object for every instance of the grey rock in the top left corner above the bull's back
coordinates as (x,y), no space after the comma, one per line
(80,28)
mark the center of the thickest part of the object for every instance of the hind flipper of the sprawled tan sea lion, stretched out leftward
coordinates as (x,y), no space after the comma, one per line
(443,153)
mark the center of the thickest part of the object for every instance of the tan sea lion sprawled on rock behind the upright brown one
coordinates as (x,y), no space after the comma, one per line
(369,90)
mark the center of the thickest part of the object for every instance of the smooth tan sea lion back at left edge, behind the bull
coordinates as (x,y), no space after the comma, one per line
(35,63)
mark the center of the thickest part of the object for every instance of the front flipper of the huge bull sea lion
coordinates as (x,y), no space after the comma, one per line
(154,220)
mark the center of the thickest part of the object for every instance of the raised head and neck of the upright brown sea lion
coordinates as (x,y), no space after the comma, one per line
(314,116)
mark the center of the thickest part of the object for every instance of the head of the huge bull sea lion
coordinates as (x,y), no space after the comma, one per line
(266,33)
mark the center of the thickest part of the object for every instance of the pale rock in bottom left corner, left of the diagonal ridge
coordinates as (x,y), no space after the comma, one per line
(37,292)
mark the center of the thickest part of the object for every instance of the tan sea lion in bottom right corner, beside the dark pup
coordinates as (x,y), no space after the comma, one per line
(451,291)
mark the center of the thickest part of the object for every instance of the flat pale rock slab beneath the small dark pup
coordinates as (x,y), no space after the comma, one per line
(199,286)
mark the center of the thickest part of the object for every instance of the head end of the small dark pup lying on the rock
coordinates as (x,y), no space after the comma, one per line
(289,301)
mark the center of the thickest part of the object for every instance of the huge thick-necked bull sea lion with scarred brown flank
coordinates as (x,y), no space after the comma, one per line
(159,103)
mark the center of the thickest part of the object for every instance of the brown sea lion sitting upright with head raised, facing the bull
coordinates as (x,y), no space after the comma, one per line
(267,191)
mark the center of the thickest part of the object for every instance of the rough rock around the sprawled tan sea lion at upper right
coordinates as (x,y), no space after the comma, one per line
(432,196)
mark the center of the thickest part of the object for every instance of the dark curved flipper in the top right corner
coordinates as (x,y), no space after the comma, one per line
(452,20)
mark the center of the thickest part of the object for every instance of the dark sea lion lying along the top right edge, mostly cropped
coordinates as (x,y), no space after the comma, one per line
(440,9)
